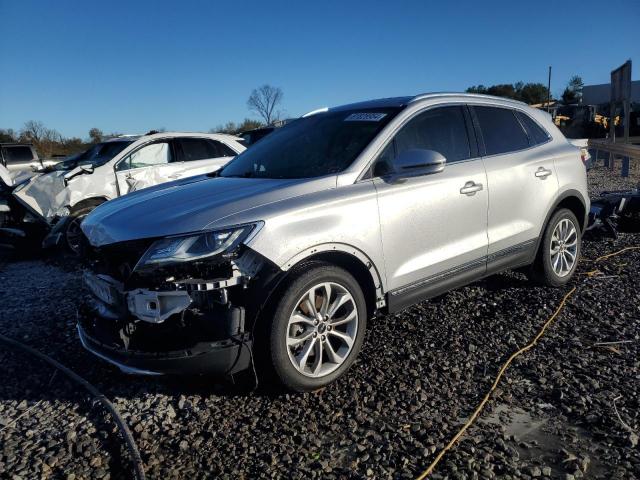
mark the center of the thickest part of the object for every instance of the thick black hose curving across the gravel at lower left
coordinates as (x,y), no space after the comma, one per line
(126,433)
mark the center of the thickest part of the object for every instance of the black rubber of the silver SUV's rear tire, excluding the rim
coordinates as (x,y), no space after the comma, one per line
(542,270)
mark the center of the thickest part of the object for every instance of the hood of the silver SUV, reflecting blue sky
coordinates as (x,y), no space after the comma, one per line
(188,205)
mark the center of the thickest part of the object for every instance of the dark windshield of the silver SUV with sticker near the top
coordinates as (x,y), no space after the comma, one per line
(322,144)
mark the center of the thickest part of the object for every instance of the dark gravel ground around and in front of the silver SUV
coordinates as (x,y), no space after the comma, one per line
(566,409)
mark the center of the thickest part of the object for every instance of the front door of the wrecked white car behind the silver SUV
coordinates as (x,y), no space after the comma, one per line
(145,167)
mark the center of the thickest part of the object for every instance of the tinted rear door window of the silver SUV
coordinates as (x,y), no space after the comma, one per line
(501,130)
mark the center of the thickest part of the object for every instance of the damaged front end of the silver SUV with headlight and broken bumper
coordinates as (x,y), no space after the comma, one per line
(179,305)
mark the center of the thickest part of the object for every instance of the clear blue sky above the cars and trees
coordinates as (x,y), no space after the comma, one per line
(189,65)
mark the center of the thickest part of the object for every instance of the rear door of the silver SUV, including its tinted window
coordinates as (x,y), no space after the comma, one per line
(521,179)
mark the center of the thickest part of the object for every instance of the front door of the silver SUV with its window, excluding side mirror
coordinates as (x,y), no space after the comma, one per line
(433,227)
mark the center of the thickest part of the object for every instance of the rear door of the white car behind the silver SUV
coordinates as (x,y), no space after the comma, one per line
(195,156)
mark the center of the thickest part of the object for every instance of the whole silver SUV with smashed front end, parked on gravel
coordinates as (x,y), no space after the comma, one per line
(279,259)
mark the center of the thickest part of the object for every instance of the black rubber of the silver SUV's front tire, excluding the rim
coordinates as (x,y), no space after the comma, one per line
(282,368)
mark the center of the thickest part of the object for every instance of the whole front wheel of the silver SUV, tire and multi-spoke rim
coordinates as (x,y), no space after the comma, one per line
(317,328)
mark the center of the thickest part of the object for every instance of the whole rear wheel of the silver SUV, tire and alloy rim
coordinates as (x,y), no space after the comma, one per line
(559,250)
